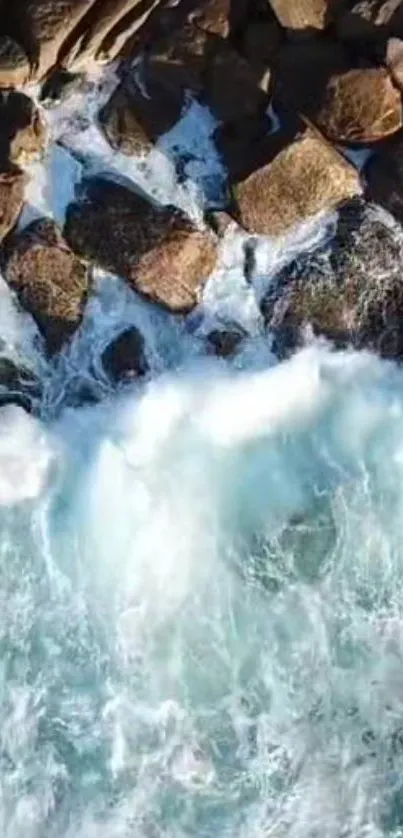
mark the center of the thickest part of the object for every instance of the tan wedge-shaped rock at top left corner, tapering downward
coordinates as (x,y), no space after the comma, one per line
(41,27)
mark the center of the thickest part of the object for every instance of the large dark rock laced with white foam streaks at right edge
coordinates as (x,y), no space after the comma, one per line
(349,290)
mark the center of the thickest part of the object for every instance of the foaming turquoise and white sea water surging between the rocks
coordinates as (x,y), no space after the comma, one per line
(201,574)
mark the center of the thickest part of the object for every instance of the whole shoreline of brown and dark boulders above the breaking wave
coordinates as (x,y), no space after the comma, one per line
(298,92)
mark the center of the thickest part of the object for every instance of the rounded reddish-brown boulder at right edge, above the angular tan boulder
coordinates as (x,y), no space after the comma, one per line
(360,106)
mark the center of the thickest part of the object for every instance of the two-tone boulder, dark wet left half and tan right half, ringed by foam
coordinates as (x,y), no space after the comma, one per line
(156,249)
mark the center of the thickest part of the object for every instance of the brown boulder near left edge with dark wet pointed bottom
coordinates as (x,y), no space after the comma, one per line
(50,281)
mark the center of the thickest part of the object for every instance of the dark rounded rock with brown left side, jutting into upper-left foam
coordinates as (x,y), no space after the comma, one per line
(134,118)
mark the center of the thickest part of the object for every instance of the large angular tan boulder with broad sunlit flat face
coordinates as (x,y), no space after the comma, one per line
(307,177)
